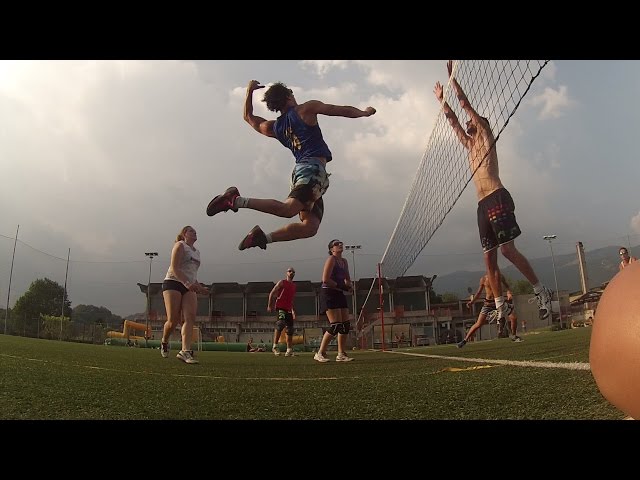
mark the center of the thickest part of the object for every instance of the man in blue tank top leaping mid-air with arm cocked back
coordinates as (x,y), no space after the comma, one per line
(298,130)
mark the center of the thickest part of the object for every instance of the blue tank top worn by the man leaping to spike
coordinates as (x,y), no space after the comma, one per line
(304,141)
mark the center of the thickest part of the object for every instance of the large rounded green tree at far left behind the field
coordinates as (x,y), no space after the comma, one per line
(44,297)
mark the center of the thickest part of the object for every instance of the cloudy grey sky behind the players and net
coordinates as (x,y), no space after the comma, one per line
(106,160)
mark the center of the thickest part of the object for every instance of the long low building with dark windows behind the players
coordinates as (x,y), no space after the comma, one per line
(238,311)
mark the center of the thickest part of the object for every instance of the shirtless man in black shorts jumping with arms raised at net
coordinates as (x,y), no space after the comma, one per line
(496,218)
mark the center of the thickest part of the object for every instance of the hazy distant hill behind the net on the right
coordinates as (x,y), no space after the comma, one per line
(602,265)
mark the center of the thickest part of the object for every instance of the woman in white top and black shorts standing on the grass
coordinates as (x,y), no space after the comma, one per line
(180,291)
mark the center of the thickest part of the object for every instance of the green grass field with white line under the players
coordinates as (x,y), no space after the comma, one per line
(545,377)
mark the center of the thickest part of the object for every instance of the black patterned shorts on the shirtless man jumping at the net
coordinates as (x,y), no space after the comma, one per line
(496,220)
